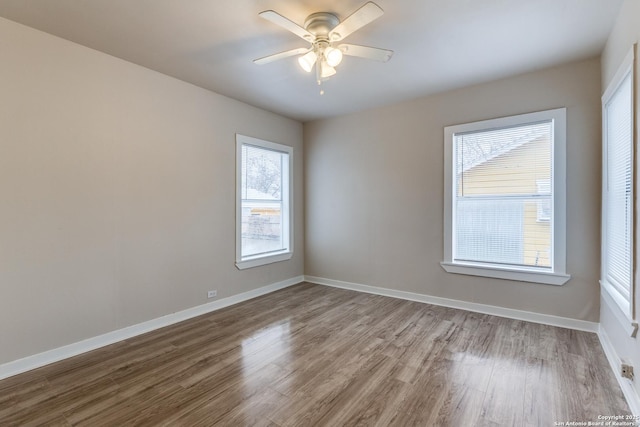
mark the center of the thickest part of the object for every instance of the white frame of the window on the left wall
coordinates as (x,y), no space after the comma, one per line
(287,210)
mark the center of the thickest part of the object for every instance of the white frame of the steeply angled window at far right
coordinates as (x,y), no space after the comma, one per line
(626,312)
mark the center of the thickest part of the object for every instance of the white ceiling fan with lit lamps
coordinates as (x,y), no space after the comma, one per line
(324,30)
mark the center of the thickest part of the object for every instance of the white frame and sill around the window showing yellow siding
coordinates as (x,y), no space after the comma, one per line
(557,274)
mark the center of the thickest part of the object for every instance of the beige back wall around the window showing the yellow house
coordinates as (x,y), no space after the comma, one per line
(374,192)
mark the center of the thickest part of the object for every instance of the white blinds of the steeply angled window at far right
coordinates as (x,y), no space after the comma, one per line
(618,190)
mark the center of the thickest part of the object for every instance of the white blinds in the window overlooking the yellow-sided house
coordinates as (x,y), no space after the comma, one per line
(503,196)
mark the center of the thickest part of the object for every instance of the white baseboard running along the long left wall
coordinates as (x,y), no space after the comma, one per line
(38,360)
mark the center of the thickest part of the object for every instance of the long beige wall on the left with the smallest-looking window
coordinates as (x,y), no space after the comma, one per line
(117,192)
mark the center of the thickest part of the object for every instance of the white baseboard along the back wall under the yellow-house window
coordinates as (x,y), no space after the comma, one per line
(546,319)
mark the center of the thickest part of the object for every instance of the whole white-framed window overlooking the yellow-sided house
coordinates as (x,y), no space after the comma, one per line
(505,198)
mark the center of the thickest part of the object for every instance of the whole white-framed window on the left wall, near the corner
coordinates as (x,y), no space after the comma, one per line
(263,211)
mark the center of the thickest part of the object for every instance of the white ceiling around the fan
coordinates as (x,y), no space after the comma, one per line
(439,44)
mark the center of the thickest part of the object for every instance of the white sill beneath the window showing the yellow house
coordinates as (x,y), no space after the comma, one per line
(506,273)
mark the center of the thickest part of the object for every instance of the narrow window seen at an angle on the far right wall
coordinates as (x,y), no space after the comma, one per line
(618,189)
